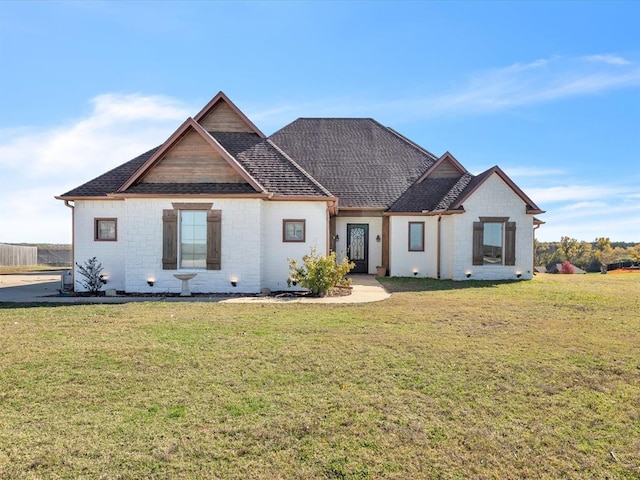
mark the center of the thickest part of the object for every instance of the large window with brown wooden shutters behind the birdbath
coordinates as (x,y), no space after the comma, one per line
(192,237)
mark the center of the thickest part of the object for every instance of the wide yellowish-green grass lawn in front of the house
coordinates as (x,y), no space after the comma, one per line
(537,379)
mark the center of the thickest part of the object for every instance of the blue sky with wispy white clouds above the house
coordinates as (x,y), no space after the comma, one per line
(549,91)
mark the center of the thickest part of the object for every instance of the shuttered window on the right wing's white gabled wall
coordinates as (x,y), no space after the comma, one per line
(494,241)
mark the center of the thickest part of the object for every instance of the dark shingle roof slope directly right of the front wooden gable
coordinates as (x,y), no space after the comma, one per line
(269,166)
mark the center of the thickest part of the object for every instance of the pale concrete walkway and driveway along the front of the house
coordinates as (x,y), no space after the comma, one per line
(43,287)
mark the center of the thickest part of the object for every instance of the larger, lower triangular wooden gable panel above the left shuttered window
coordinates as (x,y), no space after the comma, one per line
(192,160)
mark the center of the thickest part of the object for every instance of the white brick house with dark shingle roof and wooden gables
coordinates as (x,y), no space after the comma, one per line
(220,199)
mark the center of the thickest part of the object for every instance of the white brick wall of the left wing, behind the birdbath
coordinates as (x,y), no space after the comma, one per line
(252,248)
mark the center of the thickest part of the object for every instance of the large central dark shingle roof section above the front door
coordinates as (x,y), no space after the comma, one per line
(360,161)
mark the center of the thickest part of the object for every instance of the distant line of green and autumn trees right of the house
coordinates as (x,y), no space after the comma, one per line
(589,256)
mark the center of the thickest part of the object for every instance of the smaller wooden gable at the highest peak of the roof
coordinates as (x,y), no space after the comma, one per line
(221,115)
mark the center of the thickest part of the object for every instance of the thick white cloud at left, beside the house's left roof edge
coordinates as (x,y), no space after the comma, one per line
(36,164)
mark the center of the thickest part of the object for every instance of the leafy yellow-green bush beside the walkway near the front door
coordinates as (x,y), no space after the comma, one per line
(319,274)
